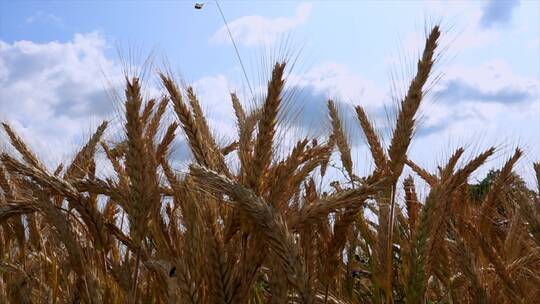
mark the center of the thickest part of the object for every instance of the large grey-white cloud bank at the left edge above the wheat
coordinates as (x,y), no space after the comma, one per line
(54,92)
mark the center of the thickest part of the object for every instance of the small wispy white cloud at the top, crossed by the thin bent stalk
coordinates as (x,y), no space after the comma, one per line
(256,29)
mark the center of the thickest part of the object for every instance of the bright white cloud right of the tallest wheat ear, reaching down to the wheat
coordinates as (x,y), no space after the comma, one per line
(485,117)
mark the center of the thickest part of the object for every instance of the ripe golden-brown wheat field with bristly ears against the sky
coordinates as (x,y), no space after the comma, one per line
(245,225)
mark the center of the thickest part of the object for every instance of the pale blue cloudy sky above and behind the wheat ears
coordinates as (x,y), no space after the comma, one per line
(59,59)
